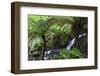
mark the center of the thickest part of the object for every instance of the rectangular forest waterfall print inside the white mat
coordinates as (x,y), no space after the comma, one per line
(57,37)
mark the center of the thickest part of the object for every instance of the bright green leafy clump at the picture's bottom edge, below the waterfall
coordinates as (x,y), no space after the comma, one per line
(71,54)
